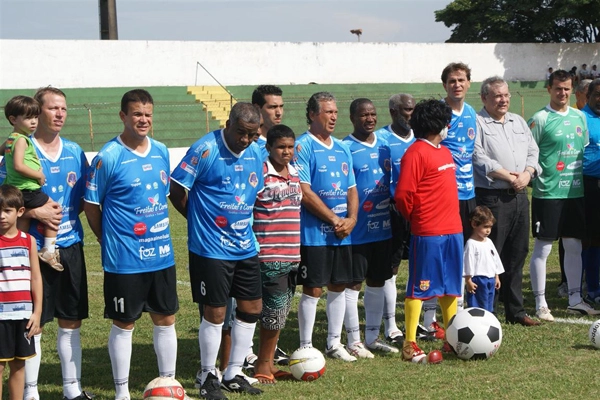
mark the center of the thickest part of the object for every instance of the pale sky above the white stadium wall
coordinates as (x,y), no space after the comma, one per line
(224,20)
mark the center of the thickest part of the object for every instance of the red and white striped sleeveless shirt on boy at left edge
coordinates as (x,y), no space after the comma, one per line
(15,277)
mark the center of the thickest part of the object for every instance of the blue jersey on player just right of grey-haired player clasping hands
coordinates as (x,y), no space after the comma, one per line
(372,169)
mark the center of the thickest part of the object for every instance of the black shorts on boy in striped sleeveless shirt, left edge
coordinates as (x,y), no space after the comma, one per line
(14,343)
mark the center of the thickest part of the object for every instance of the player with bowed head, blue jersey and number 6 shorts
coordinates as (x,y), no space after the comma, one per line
(214,187)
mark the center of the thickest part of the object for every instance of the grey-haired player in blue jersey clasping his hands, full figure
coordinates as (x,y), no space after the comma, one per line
(329,208)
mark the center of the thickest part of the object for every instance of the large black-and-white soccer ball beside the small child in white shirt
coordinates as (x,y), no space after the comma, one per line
(474,334)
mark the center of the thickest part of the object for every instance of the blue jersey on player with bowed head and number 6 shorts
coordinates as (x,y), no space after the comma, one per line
(222,189)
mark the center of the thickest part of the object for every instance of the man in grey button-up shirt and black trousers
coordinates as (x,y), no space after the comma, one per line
(505,160)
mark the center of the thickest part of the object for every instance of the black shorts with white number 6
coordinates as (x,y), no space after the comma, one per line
(214,281)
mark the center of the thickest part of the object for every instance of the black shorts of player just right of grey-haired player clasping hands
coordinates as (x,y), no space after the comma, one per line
(372,261)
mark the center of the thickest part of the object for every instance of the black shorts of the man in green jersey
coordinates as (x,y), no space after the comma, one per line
(555,218)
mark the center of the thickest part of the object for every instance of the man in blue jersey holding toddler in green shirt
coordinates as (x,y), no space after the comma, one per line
(65,293)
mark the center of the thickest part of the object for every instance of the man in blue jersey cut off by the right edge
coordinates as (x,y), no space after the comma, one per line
(591,187)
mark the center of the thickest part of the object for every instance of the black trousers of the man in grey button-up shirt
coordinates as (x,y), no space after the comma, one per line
(510,235)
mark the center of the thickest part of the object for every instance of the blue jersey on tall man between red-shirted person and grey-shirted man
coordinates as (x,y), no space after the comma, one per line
(461,142)
